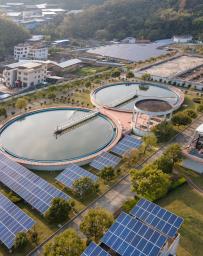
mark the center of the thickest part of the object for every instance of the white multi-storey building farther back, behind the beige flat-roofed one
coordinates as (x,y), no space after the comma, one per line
(32,52)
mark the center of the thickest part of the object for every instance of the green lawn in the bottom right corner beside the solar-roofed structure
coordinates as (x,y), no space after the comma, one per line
(189,204)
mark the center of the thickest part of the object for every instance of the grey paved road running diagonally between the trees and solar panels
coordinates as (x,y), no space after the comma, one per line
(114,198)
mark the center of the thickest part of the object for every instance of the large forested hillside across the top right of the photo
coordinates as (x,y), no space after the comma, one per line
(152,19)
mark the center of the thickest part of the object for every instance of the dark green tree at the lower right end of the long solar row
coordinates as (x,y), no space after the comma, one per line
(58,211)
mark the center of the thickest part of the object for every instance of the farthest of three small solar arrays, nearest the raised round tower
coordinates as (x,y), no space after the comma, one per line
(128,143)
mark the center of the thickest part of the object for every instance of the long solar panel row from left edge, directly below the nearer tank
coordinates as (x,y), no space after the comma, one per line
(33,189)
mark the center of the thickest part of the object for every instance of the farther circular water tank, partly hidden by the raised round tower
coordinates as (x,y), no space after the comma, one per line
(123,96)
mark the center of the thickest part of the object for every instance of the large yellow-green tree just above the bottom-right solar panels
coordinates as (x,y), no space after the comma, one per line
(150,183)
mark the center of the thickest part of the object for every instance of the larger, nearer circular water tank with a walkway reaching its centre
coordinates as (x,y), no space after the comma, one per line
(35,140)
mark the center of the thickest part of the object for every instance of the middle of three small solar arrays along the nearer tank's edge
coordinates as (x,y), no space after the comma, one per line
(105,160)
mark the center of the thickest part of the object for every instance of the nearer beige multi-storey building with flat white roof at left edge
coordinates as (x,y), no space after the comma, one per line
(25,74)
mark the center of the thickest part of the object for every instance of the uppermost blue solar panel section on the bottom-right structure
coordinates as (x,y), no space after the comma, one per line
(163,220)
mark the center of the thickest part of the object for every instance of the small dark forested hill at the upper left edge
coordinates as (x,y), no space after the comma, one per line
(10,35)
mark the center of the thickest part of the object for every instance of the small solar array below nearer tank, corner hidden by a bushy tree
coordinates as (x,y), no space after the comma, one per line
(73,173)
